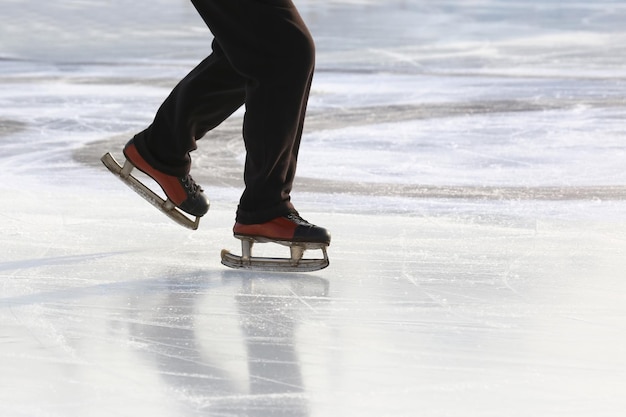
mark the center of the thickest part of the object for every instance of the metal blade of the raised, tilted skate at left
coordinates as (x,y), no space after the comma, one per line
(166,206)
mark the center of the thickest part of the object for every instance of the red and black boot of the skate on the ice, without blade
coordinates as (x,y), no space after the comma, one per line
(289,228)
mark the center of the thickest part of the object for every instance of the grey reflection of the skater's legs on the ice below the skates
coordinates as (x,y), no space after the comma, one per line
(232,347)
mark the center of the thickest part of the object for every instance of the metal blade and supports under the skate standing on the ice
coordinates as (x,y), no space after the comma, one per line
(295,263)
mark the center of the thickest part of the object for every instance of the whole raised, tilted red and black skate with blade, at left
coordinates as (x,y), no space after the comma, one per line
(183,194)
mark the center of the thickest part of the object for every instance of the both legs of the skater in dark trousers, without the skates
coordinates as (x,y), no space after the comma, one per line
(263,57)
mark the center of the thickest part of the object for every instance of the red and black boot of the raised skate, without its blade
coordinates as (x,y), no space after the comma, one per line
(182,191)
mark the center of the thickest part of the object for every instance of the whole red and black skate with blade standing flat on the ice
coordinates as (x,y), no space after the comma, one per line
(292,231)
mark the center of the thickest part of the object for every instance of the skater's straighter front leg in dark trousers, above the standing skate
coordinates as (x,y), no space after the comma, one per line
(266,42)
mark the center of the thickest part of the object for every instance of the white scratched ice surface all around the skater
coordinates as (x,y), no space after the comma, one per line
(468,157)
